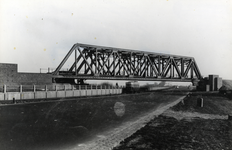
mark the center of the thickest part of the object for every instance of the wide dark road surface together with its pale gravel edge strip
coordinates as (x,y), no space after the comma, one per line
(79,123)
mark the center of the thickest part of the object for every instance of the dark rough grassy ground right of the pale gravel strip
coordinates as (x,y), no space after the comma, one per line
(187,125)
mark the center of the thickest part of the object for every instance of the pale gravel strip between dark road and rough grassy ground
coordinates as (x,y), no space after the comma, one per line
(113,138)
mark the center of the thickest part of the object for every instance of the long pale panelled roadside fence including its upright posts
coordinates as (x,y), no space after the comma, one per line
(58,93)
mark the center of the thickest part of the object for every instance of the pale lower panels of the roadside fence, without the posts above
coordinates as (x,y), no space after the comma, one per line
(57,94)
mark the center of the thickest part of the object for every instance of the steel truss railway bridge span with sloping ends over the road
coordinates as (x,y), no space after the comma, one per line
(108,63)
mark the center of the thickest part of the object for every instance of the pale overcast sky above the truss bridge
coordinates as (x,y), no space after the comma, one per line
(38,34)
